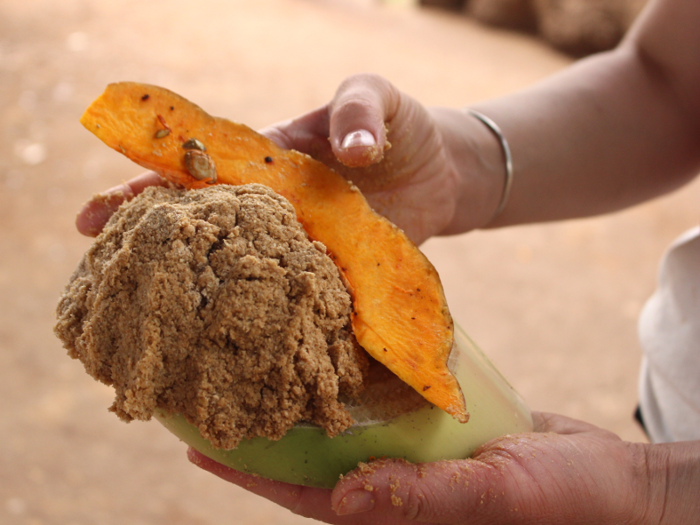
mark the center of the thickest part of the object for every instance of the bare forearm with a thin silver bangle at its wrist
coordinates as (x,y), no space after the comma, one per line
(607,133)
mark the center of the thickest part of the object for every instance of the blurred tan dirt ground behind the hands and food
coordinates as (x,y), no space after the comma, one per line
(554,306)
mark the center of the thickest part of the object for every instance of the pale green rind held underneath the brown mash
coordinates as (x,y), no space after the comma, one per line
(307,456)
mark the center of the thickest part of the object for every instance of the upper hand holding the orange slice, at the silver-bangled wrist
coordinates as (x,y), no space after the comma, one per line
(406,159)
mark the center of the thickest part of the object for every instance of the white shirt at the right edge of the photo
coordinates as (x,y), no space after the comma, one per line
(669,332)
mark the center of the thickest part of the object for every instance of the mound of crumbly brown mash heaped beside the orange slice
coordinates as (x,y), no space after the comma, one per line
(215,304)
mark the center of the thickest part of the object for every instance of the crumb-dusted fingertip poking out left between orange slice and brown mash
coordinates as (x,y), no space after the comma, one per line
(96,212)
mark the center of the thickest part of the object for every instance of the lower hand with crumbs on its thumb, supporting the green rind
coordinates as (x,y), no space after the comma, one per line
(565,472)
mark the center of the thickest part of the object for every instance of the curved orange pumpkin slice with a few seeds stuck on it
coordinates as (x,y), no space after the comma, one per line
(400,312)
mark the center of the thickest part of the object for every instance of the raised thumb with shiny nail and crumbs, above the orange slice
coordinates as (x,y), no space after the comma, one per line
(358,112)
